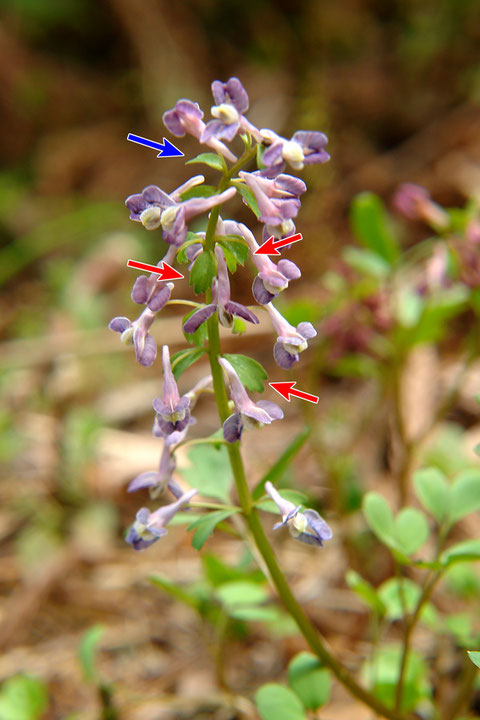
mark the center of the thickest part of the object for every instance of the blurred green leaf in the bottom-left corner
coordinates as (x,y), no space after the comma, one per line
(23,698)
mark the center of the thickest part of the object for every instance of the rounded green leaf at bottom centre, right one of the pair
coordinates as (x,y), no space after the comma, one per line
(309,680)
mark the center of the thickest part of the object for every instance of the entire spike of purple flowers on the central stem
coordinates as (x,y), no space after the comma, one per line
(274,196)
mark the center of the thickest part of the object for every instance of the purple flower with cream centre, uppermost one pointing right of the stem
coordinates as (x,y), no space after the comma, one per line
(304,148)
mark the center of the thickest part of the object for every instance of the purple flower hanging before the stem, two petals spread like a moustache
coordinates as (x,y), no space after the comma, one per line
(221,304)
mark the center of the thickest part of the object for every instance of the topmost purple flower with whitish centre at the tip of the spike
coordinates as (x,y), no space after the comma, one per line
(231,102)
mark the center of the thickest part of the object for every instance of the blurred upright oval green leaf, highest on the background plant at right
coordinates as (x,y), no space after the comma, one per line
(372,228)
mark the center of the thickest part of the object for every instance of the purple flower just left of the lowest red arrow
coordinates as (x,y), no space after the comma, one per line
(248,414)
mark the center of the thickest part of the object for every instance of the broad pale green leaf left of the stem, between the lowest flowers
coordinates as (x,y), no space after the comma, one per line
(209,471)
